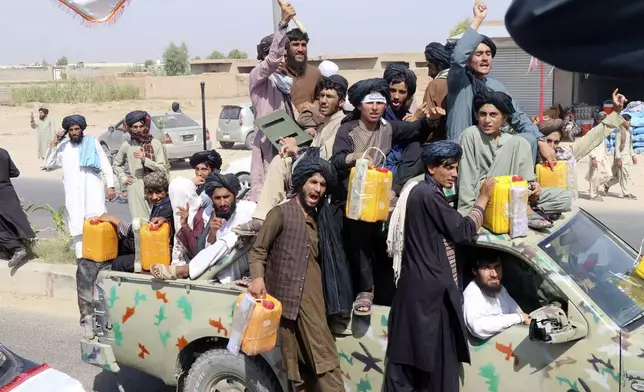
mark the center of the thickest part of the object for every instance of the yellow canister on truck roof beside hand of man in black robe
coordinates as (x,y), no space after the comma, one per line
(497,218)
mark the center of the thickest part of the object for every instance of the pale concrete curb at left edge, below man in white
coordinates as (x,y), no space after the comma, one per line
(40,279)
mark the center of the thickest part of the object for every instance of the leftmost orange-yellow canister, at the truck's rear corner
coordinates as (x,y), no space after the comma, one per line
(100,242)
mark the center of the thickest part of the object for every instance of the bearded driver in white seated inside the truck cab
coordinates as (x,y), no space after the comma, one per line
(488,307)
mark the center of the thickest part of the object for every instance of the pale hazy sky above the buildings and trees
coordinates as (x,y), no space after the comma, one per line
(42,29)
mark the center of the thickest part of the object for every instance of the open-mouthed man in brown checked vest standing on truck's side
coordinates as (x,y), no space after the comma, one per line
(285,261)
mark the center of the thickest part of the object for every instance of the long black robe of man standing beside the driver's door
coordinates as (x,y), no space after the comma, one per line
(427,297)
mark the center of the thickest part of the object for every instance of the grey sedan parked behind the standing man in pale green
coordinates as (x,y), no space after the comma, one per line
(181,135)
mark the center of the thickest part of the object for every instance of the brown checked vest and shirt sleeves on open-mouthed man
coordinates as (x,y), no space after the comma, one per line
(285,245)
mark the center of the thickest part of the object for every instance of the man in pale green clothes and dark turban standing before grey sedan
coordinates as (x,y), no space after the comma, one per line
(143,154)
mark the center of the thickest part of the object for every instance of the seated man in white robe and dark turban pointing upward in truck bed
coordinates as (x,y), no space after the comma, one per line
(212,237)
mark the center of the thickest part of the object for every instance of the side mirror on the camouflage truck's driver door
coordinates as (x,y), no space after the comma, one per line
(550,324)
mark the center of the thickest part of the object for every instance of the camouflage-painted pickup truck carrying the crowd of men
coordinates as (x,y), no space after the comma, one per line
(575,280)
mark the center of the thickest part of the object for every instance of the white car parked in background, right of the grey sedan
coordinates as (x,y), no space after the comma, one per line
(236,125)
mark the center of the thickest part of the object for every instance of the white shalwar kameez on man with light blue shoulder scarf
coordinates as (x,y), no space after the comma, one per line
(84,188)
